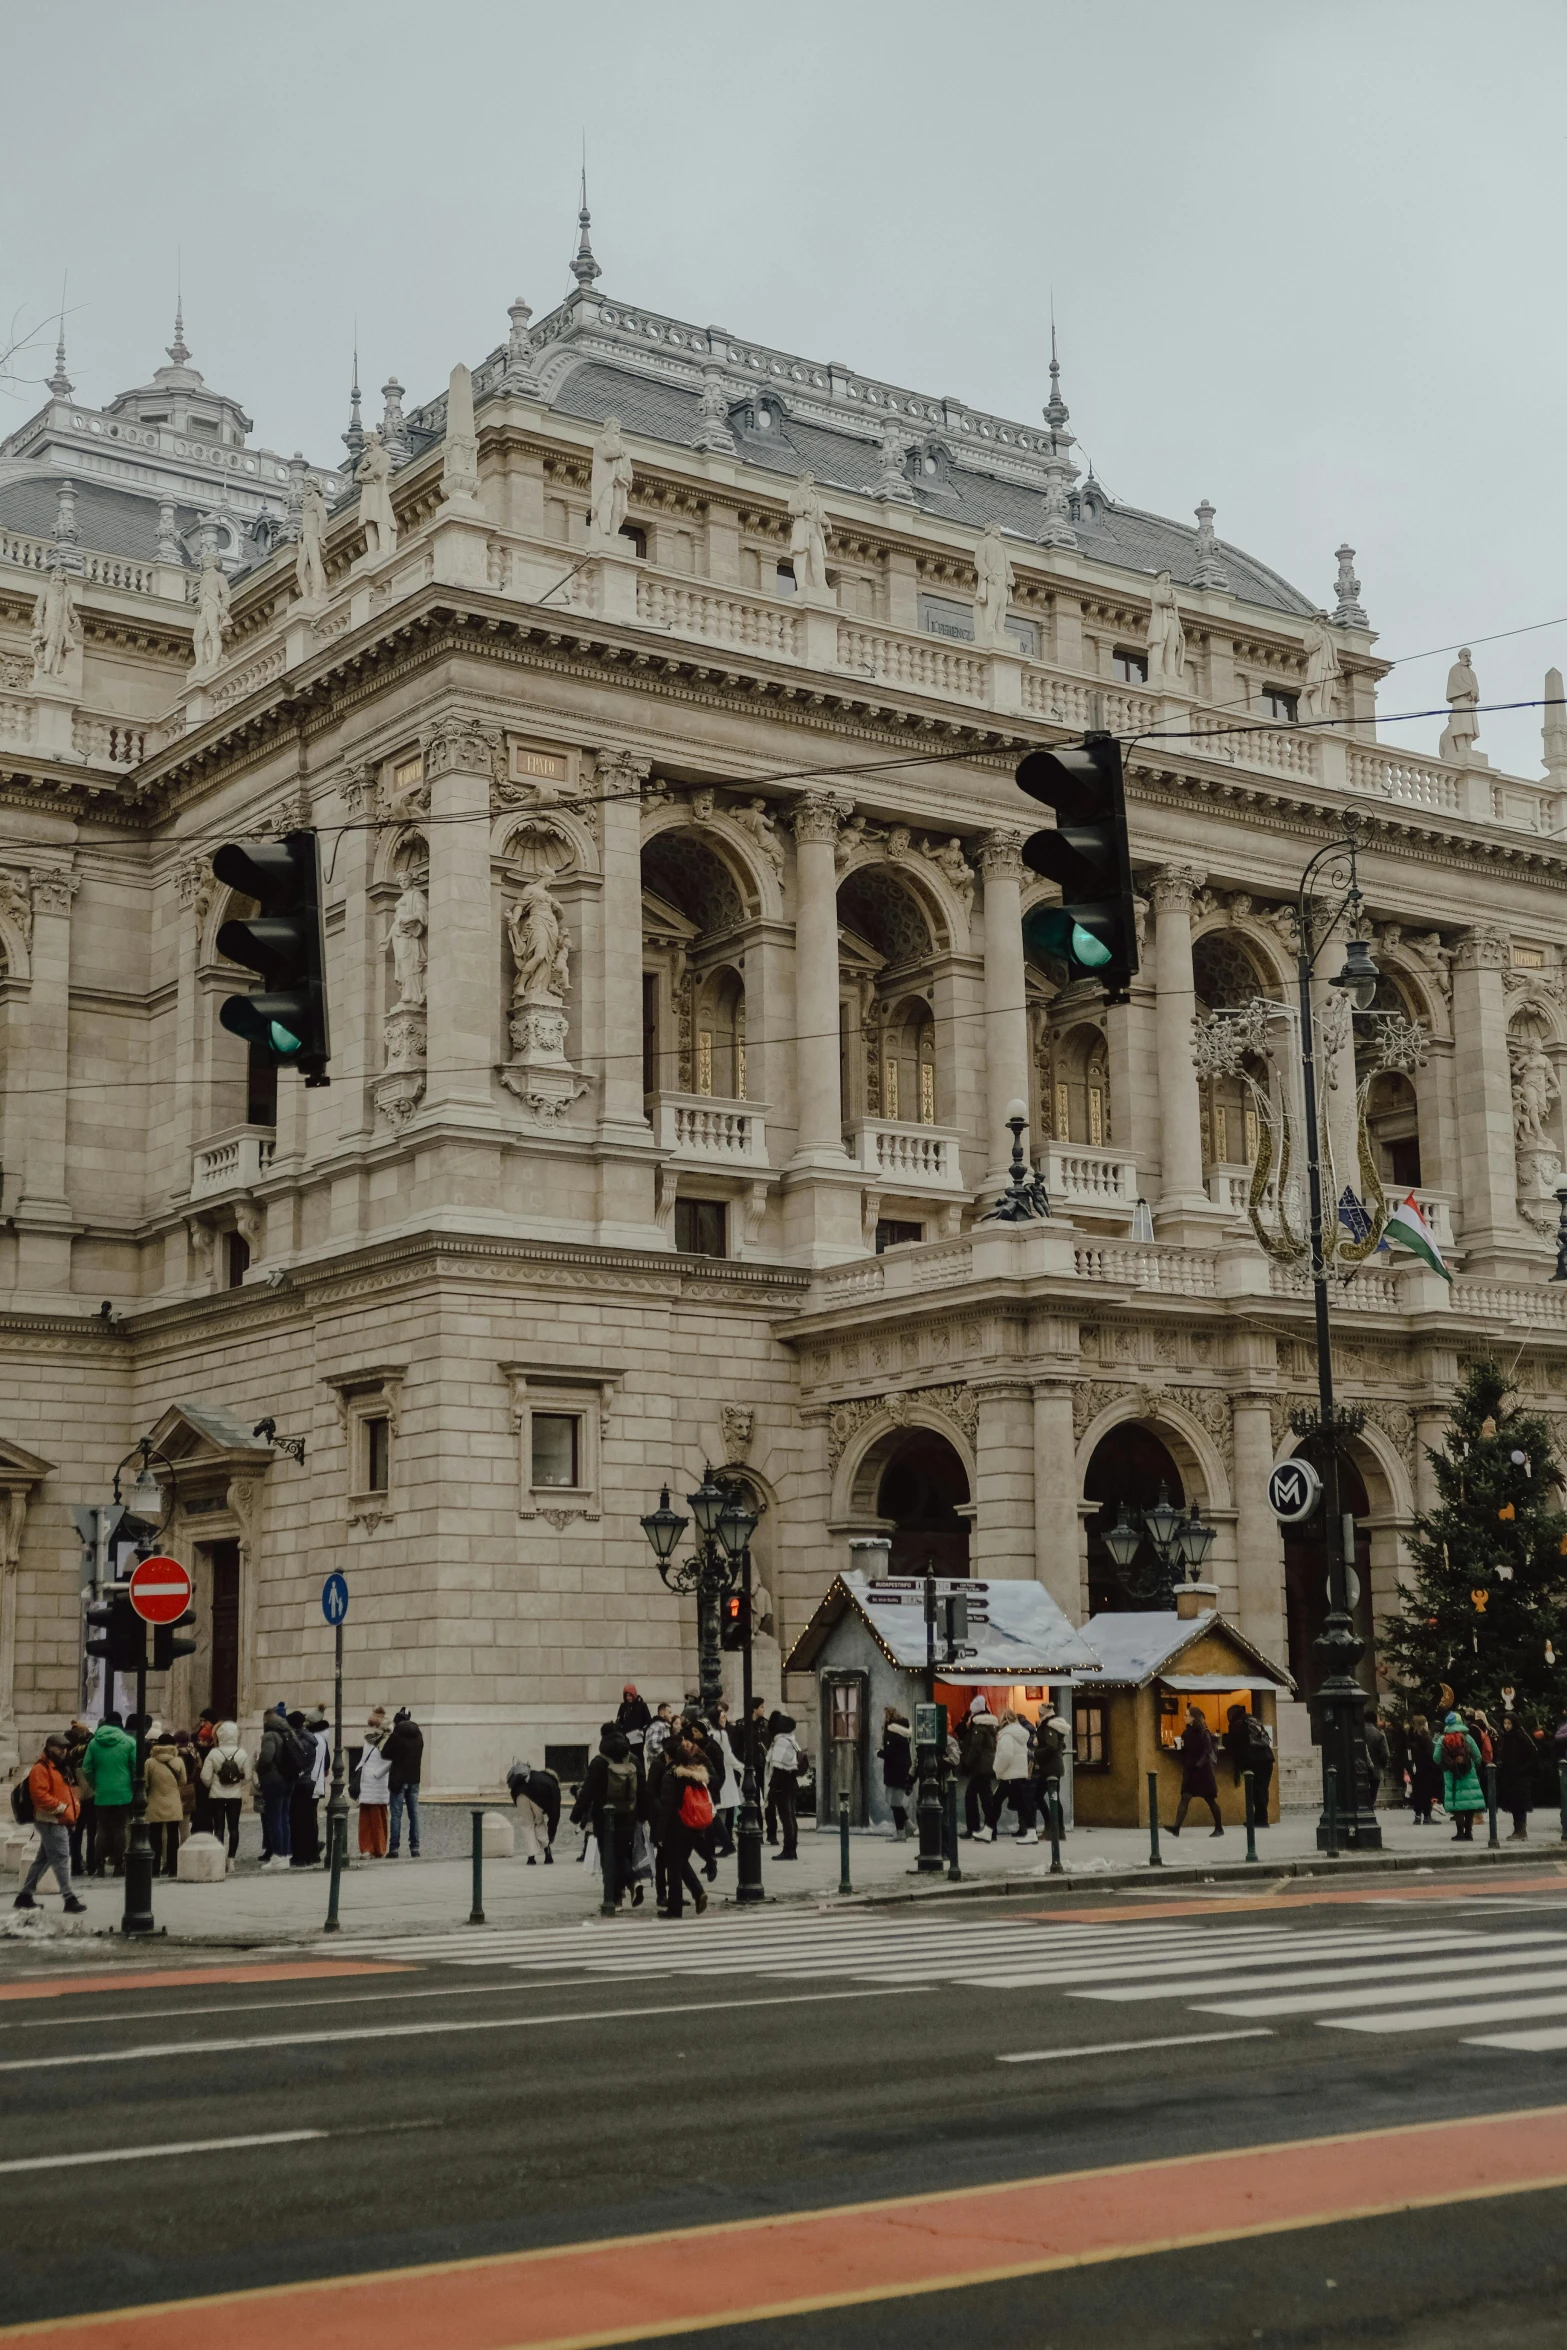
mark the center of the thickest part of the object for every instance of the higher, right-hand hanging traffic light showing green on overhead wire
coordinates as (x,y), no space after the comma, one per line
(1094,932)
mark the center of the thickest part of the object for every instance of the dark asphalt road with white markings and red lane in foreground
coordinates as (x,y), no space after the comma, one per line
(692,2079)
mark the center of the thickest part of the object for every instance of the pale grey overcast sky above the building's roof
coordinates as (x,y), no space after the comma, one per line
(1305,260)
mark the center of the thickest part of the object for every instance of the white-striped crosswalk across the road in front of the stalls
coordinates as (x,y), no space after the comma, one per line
(1378,1980)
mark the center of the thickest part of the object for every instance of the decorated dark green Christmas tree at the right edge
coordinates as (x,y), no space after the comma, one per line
(1486,1609)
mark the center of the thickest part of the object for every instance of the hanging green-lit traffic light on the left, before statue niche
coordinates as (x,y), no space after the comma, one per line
(285,946)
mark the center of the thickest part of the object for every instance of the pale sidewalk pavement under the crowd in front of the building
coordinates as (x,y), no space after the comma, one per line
(436,1895)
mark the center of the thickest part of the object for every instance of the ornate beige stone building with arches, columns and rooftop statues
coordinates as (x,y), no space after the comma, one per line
(657,701)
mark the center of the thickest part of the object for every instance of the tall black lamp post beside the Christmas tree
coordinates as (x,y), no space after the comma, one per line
(1340,1700)
